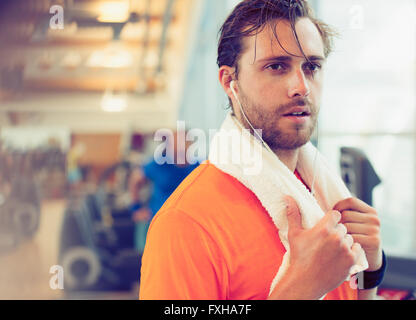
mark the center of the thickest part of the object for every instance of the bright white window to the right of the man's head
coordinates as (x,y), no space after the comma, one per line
(369,103)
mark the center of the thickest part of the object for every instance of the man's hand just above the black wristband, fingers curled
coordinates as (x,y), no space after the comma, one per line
(363,225)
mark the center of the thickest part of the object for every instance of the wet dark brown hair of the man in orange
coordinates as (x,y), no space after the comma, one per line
(250,17)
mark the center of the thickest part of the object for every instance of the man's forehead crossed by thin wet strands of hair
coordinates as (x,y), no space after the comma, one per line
(281,40)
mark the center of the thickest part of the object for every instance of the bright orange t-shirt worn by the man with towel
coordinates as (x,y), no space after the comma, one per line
(213,240)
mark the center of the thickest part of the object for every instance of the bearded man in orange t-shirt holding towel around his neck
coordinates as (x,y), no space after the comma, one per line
(222,235)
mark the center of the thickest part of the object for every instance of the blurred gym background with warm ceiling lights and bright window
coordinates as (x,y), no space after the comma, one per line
(84,86)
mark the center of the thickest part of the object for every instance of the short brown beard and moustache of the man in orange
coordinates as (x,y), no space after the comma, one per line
(267,121)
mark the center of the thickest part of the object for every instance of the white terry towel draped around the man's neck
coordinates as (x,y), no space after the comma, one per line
(245,158)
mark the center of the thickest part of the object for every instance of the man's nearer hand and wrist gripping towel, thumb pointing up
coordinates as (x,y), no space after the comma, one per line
(320,257)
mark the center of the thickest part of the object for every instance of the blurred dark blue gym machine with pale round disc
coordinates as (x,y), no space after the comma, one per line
(97,239)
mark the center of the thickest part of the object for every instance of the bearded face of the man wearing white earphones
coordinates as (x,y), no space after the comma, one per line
(280,93)
